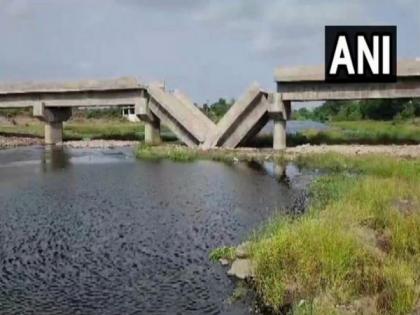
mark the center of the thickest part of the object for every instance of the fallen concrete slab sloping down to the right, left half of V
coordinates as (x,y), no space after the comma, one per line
(180,115)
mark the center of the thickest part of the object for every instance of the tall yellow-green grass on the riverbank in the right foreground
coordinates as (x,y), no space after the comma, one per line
(357,249)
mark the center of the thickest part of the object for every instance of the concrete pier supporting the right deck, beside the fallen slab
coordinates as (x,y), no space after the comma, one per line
(279,112)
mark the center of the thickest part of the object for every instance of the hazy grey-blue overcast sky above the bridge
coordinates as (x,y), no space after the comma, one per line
(209,49)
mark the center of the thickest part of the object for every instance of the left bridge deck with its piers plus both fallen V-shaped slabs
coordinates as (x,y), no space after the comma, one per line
(53,104)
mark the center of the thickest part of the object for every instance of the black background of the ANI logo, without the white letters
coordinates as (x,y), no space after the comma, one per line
(351,32)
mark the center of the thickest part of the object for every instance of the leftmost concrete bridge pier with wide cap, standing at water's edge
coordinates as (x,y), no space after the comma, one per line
(53,118)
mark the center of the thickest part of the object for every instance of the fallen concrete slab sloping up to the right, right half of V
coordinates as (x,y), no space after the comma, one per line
(243,120)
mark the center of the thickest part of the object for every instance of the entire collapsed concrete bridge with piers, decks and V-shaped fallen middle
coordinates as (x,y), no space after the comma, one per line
(53,103)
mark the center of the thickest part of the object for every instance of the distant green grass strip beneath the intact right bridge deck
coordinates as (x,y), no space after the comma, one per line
(362,132)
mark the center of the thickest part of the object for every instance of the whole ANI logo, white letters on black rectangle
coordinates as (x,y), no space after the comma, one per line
(360,53)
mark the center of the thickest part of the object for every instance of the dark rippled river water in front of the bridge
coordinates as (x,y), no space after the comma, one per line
(99,232)
